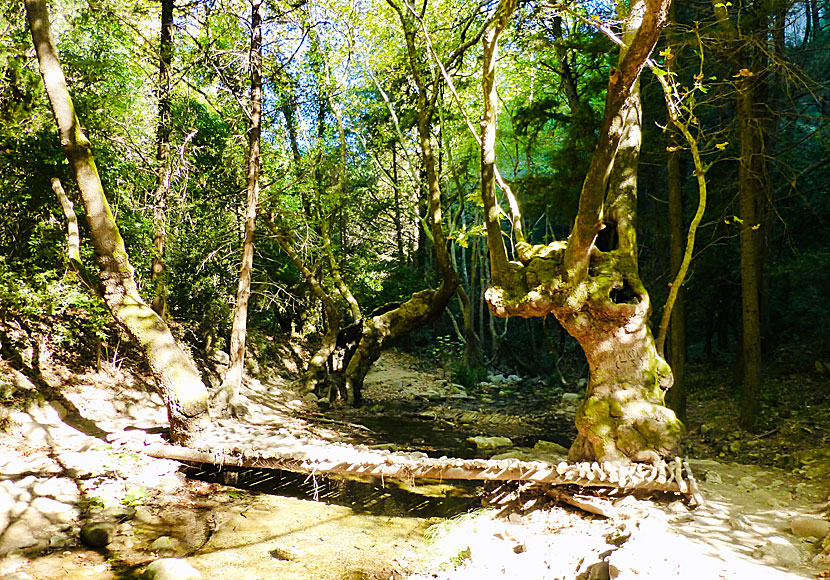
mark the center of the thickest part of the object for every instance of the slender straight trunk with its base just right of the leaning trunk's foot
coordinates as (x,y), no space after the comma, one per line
(233,379)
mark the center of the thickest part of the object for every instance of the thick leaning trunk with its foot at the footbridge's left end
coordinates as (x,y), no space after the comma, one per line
(174,372)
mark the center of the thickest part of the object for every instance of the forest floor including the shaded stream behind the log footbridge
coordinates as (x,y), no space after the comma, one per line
(61,476)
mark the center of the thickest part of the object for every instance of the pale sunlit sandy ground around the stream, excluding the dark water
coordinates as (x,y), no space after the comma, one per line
(60,470)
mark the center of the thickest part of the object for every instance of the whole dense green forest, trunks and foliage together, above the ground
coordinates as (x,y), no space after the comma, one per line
(621,205)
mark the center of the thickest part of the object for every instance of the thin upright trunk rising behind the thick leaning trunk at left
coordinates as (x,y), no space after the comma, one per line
(165,160)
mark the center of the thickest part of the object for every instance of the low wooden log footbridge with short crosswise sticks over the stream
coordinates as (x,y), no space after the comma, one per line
(318,457)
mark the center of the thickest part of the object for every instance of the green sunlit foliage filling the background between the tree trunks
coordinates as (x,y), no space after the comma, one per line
(341,161)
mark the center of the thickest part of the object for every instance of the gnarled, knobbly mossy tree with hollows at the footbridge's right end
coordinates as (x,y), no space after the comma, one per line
(591,283)
